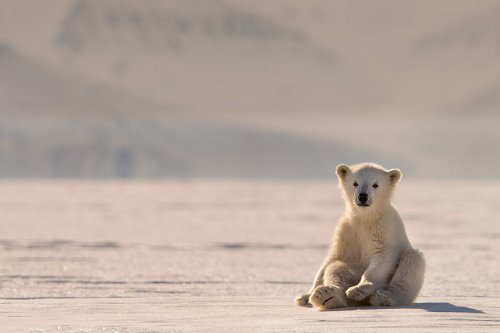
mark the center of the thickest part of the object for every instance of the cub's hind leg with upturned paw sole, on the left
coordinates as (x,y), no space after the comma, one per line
(338,277)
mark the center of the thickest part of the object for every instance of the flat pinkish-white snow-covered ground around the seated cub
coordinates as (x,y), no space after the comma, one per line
(206,256)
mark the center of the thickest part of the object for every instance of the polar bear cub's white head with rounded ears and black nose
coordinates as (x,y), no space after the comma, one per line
(367,186)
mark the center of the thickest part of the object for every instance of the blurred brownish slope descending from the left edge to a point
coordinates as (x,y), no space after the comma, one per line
(28,86)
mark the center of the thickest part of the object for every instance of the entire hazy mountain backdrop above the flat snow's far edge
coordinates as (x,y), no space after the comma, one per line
(248,88)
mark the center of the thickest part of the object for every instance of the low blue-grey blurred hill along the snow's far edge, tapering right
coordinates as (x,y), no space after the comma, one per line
(151,147)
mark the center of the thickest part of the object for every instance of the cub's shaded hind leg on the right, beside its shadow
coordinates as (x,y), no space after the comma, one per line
(405,284)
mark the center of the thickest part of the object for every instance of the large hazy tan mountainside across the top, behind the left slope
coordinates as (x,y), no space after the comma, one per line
(249,58)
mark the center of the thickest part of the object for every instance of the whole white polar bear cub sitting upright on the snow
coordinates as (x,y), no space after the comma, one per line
(370,261)
